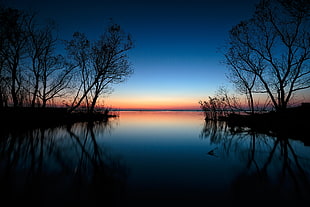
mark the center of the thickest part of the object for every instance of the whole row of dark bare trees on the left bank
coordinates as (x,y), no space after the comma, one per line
(34,74)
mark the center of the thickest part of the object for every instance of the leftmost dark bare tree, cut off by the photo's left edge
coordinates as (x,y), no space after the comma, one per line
(14,36)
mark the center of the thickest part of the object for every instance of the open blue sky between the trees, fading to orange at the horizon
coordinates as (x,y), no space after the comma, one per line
(176,58)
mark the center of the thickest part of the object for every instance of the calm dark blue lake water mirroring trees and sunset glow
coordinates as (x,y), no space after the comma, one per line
(152,159)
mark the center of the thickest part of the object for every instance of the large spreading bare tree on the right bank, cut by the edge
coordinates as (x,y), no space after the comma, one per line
(273,47)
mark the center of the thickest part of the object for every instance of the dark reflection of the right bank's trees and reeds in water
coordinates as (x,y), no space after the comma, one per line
(274,168)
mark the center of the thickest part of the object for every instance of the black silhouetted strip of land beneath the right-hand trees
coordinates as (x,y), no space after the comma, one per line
(292,123)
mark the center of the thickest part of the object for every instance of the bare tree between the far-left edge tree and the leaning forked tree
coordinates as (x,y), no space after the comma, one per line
(51,73)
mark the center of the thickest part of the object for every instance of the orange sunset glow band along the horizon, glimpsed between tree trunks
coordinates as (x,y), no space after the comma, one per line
(170,102)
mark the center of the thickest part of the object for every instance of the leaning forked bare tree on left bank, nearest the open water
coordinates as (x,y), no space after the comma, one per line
(101,64)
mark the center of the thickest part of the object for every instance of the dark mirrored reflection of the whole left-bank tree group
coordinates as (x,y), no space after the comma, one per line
(63,166)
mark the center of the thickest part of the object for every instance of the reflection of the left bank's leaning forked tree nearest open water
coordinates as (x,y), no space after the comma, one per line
(106,173)
